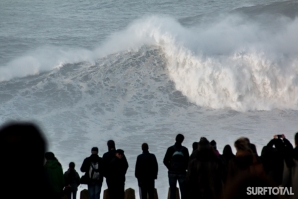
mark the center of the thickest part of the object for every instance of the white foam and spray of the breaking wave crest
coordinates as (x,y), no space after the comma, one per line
(231,63)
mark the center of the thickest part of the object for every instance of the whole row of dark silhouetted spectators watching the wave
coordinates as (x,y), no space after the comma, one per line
(29,171)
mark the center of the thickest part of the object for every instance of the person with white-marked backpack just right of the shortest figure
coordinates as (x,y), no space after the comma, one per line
(93,168)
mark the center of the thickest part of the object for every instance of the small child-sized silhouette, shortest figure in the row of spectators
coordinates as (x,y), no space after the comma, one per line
(72,181)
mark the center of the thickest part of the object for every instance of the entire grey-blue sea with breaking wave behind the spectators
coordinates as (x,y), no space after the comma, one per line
(136,72)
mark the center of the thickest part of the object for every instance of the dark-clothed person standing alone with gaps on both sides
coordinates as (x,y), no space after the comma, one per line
(146,172)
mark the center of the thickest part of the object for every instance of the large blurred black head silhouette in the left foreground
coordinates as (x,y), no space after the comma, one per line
(22,148)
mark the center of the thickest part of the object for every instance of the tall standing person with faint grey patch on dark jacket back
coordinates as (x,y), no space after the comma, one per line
(176,160)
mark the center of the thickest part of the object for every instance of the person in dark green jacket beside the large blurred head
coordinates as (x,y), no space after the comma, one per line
(54,174)
